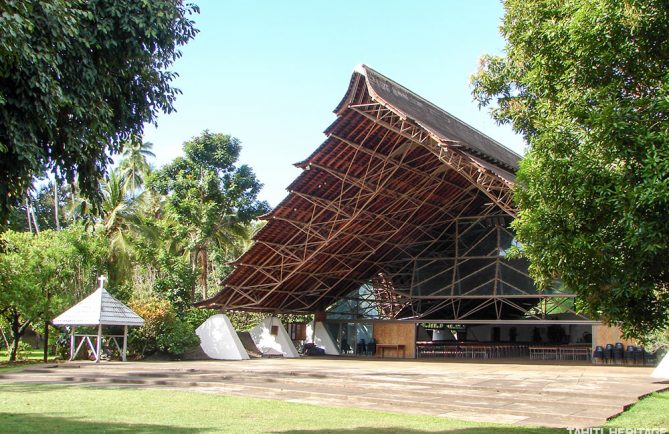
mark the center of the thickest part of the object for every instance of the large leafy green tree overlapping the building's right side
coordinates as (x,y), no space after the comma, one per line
(587,84)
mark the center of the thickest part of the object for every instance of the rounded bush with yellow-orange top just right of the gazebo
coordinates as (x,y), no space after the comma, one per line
(162,332)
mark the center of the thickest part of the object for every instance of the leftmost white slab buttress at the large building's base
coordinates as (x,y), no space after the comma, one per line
(219,340)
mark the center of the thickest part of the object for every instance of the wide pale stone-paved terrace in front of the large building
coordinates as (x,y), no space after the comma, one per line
(529,394)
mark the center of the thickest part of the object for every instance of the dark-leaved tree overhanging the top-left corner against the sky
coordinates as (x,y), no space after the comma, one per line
(77,79)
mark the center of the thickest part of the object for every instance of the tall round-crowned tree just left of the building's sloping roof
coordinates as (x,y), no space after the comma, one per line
(209,198)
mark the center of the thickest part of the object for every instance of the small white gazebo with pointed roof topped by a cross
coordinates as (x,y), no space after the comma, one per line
(98,309)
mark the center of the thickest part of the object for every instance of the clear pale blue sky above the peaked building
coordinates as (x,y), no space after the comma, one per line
(271,72)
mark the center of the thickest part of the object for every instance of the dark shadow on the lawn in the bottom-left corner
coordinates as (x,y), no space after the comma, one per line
(31,423)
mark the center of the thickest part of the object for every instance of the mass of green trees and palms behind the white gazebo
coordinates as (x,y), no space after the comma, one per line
(154,246)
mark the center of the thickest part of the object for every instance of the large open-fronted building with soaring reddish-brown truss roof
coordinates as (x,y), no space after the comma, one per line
(399,223)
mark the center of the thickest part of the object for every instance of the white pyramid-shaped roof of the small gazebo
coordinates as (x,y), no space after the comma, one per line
(99,308)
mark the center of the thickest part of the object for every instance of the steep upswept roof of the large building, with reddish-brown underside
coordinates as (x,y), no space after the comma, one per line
(393,174)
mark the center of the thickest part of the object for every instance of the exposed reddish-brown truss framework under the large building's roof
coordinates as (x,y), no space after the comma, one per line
(377,199)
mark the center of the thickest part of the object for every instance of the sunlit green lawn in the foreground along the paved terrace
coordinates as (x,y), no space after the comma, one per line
(49,408)
